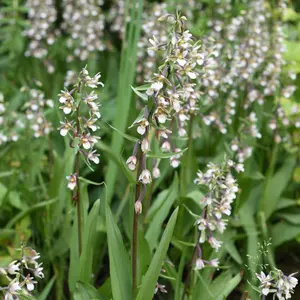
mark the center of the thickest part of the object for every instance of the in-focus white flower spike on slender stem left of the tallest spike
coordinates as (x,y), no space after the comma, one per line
(81,110)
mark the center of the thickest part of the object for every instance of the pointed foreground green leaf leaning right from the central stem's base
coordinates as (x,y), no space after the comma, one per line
(146,291)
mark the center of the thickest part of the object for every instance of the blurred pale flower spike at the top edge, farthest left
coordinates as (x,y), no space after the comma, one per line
(42,16)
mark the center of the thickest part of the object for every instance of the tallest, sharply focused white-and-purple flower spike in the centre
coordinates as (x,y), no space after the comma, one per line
(172,94)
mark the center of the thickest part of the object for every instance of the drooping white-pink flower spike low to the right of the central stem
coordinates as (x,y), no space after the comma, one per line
(222,190)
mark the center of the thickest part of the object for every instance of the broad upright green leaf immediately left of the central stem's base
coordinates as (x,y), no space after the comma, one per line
(121,281)
